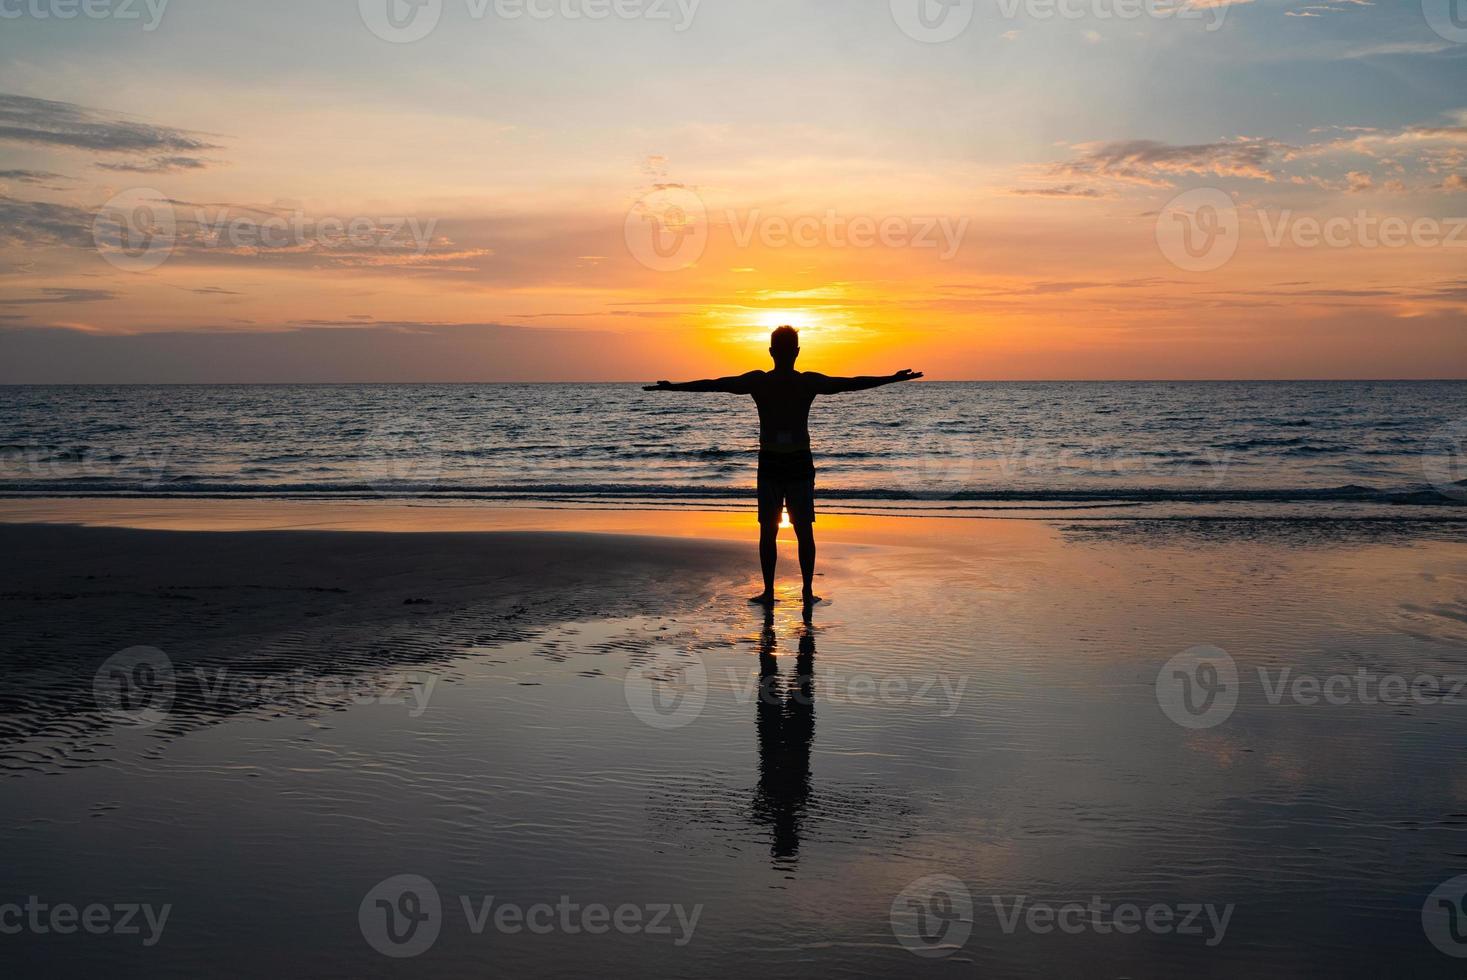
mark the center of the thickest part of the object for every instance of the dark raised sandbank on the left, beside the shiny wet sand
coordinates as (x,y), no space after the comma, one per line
(301,605)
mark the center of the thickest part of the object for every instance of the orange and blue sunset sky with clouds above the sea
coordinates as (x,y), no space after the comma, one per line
(1029,200)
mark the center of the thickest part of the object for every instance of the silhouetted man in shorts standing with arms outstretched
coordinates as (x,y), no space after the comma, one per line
(787,470)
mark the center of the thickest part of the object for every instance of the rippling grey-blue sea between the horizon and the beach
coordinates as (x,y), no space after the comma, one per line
(906,448)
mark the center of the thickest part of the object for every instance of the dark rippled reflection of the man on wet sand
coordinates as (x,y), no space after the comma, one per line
(786,725)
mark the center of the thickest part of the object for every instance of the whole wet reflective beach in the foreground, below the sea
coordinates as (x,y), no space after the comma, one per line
(306,701)
